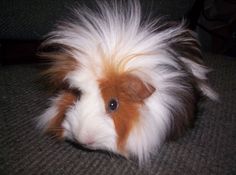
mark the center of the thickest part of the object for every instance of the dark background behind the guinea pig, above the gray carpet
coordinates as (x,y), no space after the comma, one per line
(23,24)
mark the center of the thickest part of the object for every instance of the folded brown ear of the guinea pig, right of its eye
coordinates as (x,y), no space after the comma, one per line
(135,89)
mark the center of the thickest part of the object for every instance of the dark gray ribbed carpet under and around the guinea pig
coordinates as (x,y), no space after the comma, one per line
(209,148)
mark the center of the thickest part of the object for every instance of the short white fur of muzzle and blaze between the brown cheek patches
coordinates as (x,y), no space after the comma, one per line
(87,120)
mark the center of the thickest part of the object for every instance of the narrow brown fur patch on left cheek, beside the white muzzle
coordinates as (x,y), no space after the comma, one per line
(67,99)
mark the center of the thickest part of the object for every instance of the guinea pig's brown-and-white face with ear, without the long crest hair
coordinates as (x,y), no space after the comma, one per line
(98,112)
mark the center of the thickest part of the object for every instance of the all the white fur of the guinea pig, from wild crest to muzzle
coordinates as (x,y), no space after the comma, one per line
(111,35)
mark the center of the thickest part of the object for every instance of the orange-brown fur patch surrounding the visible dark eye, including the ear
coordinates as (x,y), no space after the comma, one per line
(130,92)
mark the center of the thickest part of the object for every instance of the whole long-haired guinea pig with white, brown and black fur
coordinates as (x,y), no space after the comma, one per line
(125,83)
